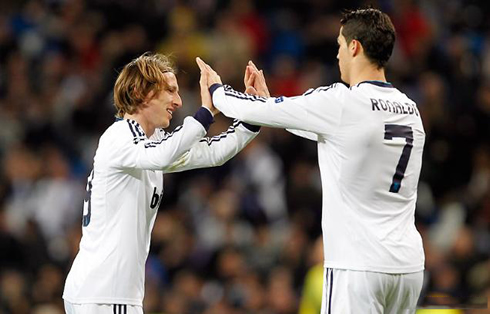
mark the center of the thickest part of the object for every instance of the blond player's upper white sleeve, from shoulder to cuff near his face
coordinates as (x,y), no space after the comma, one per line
(159,154)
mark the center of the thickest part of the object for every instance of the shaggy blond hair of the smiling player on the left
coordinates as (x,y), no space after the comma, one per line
(137,79)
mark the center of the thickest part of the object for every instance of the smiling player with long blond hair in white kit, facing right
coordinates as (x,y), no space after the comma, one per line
(125,187)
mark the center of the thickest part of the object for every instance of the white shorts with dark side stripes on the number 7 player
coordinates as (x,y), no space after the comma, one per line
(349,291)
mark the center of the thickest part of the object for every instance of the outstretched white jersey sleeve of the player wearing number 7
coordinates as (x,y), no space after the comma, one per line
(317,111)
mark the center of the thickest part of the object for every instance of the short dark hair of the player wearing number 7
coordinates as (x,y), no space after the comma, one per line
(373,29)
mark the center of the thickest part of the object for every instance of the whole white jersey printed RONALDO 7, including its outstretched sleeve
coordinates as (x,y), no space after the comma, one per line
(370,142)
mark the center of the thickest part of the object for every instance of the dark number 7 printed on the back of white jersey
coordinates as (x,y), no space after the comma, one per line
(396,130)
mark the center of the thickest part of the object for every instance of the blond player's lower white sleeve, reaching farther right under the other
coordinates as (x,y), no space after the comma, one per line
(216,150)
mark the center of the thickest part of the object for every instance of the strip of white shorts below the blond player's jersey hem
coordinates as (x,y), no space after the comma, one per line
(90,308)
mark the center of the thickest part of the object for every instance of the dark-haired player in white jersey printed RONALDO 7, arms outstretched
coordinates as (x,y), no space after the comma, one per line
(370,141)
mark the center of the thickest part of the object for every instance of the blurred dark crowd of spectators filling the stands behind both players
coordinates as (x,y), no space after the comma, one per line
(240,238)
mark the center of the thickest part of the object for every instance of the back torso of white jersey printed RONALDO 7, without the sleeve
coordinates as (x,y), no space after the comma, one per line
(370,171)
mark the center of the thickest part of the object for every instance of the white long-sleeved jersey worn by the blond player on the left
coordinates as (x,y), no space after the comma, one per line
(124,191)
